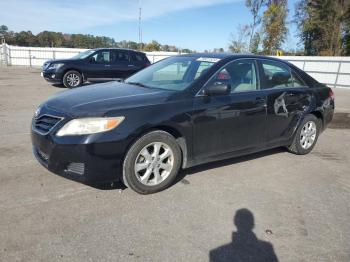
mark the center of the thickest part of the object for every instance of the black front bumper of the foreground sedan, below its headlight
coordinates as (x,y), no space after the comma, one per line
(79,160)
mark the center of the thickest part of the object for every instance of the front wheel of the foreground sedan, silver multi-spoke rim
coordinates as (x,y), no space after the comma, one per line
(157,157)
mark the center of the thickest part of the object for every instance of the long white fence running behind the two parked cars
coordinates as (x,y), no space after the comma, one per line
(333,71)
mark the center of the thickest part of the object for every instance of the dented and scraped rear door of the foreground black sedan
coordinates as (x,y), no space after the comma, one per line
(288,98)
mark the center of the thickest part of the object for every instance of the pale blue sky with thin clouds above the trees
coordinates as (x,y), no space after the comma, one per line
(195,24)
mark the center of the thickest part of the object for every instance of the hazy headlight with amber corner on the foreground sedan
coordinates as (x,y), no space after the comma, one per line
(85,126)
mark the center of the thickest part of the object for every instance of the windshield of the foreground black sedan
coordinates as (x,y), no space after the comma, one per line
(174,73)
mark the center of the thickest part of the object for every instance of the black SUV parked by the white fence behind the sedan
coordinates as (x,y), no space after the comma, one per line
(96,65)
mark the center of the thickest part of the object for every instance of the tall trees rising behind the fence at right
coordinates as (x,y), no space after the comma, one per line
(323,27)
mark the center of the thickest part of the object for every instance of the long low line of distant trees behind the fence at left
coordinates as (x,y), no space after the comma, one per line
(57,39)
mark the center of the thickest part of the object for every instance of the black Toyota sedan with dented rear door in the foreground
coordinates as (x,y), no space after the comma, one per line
(180,112)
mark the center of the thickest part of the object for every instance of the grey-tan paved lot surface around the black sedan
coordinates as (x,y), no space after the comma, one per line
(300,203)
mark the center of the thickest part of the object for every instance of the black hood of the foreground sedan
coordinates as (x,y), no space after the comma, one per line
(99,99)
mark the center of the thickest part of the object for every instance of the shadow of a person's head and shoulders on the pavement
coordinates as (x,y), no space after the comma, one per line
(245,246)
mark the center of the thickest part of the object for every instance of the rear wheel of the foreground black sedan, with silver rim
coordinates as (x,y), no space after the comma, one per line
(305,133)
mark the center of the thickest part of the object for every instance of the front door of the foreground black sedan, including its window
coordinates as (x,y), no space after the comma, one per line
(233,122)
